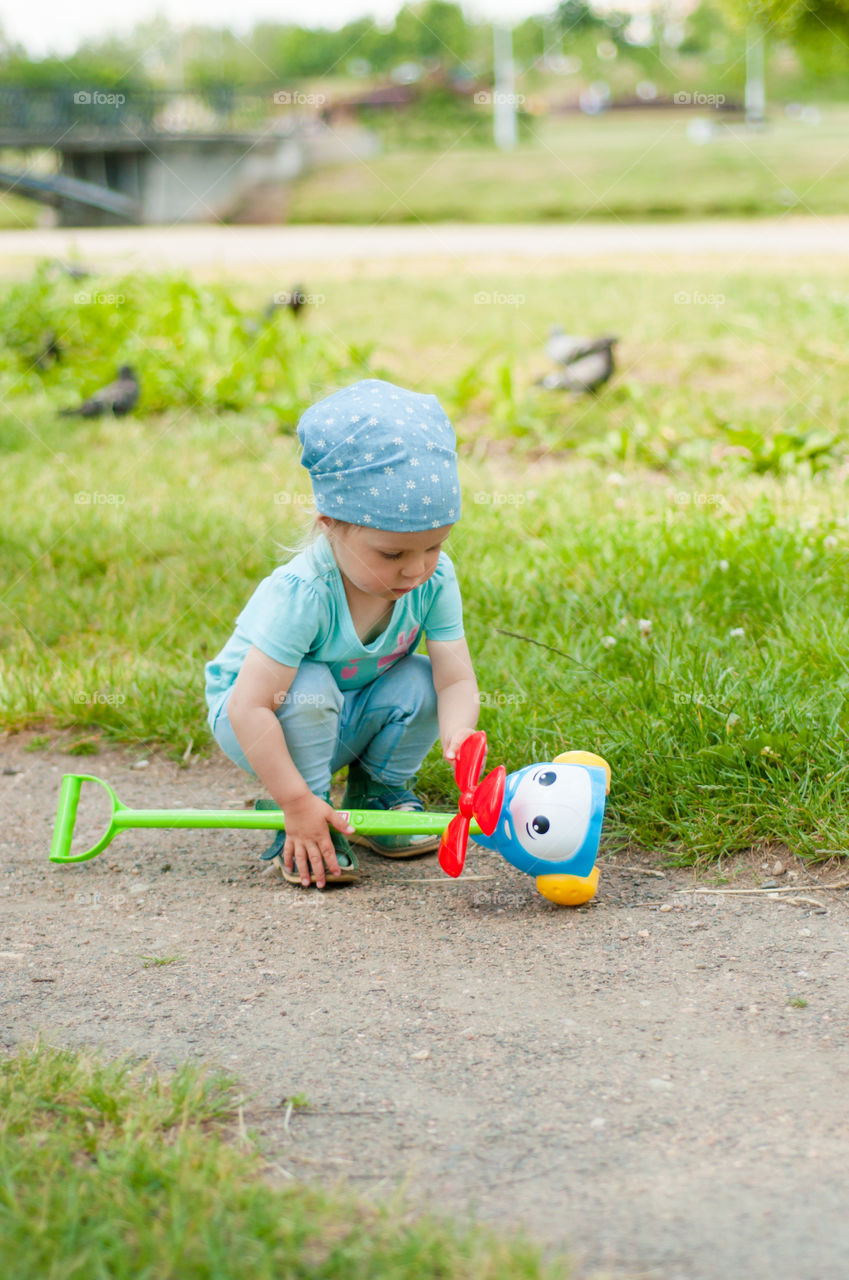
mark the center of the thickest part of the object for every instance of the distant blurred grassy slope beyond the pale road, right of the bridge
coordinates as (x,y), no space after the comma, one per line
(622,166)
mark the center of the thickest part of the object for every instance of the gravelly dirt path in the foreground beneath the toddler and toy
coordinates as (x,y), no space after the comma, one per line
(640,1080)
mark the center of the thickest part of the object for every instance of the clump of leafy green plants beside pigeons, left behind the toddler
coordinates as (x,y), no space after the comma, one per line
(194,349)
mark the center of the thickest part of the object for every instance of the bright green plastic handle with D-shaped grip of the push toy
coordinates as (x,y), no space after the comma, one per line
(371,822)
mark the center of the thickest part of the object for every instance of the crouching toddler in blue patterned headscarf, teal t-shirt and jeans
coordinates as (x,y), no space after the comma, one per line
(322,670)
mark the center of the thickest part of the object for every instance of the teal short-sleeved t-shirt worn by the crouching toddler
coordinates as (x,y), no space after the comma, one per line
(302,612)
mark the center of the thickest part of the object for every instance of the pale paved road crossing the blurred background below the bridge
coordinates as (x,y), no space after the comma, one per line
(239,249)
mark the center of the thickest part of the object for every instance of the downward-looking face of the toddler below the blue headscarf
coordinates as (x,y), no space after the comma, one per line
(382,564)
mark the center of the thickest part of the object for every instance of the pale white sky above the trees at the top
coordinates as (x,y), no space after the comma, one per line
(57,26)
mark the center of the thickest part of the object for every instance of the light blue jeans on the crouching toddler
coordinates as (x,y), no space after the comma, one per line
(389,726)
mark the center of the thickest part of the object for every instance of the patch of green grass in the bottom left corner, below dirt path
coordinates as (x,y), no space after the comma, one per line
(111,1173)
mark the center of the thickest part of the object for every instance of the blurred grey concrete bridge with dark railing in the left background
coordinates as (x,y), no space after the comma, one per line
(165,158)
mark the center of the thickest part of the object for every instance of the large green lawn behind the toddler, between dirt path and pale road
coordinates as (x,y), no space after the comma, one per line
(704,492)
